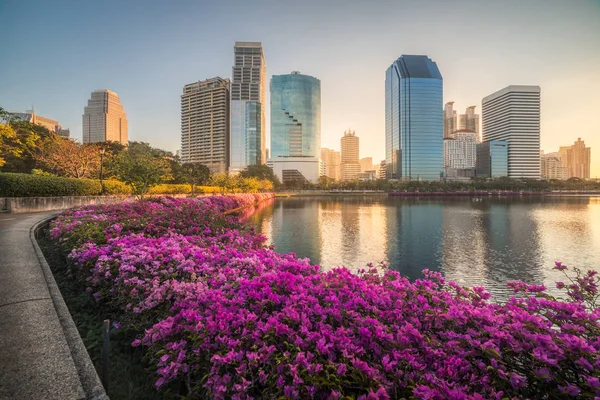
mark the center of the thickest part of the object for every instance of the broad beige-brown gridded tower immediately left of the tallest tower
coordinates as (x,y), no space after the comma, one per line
(205,123)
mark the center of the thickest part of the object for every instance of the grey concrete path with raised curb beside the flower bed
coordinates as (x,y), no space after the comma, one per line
(41,353)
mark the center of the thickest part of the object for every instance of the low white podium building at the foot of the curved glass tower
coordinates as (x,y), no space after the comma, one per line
(293,169)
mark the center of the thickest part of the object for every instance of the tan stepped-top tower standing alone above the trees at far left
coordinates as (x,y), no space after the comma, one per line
(104,119)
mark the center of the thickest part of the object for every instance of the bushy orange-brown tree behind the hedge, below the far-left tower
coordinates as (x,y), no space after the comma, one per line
(64,157)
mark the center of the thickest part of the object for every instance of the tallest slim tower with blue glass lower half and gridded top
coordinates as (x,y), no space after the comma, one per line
(248,106)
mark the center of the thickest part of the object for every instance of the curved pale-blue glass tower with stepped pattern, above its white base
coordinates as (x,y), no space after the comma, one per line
(295,116)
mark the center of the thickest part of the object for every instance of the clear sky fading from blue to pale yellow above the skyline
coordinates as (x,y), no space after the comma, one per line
(55,53)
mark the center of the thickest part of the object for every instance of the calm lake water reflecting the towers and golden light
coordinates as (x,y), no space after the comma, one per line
(484,243)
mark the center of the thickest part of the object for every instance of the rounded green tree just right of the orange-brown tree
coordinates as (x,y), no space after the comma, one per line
(141,167)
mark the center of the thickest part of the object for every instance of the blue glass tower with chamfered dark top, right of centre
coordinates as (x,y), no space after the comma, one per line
(414,126)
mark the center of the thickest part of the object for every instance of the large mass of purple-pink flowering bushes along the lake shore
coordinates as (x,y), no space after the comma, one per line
(226,317)
